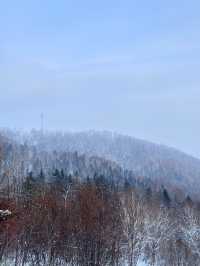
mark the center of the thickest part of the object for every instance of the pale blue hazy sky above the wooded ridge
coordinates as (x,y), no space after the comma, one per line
(127,66)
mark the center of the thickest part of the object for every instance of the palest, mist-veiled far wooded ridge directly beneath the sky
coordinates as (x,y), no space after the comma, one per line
(162,165)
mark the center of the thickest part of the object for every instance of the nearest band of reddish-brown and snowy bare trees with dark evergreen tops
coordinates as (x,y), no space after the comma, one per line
(95,222)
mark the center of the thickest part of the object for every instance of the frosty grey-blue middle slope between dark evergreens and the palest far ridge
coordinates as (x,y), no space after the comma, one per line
(19,160)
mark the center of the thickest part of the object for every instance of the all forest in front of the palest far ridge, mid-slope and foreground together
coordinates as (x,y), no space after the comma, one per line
(66,208)
